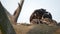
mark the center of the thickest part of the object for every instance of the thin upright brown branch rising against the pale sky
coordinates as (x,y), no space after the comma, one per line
(18,10)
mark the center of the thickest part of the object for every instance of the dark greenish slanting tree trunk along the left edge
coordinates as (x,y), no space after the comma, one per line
(6,27)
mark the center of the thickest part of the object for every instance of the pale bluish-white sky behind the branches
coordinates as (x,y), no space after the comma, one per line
(52,6)
